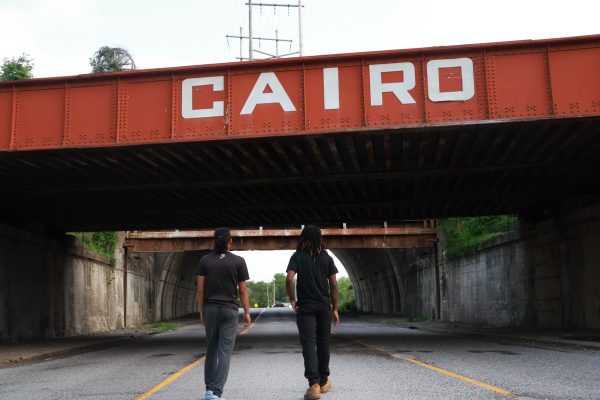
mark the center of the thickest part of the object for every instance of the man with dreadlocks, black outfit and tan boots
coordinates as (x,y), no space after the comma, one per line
(316,308)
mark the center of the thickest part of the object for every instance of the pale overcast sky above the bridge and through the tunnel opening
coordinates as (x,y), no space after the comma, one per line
(61,35)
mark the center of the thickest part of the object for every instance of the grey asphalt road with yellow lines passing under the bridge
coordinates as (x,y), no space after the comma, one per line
(370,360)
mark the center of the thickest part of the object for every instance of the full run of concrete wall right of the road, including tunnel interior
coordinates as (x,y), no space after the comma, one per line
(547,275)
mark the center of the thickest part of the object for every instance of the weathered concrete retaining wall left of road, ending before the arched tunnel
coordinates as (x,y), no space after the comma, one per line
(52,288)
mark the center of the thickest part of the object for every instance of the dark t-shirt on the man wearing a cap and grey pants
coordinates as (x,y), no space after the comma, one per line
(223,272)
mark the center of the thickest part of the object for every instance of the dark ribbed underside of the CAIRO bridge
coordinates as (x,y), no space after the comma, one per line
(353,177)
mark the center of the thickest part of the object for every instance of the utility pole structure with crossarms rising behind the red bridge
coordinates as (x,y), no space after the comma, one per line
(251,36)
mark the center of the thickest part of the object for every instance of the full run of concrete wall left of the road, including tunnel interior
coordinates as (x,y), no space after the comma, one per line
(53,287)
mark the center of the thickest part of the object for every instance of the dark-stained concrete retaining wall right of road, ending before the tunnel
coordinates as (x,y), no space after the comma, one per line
(545,276)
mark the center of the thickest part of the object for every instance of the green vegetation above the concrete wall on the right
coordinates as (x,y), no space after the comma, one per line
(465,235)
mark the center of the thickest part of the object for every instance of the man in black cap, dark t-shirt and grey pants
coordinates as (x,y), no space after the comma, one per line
(220,275)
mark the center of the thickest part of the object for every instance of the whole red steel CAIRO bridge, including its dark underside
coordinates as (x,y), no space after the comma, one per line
(358,138)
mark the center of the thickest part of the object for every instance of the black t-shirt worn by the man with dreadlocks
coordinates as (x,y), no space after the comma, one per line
(313,276)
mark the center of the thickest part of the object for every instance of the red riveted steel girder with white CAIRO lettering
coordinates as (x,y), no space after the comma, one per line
(455,85)
